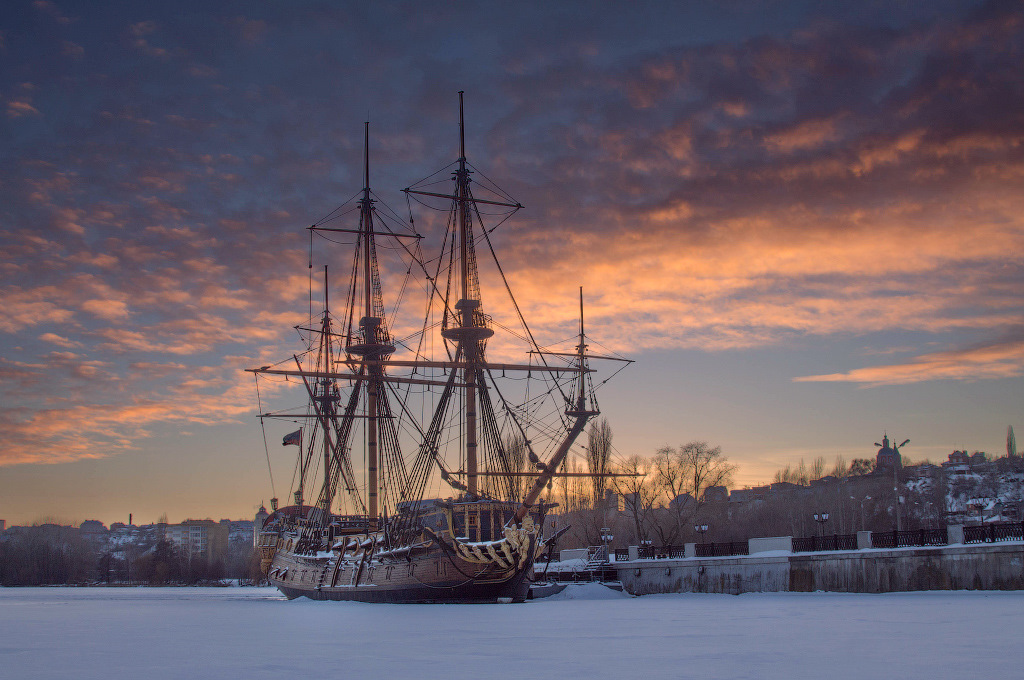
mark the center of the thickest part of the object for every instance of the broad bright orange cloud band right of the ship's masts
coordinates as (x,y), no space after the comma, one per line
(750,282)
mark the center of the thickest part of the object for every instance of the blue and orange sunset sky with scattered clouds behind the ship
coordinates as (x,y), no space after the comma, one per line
(803,221)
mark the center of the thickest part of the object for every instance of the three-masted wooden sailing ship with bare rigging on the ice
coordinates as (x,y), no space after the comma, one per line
(387,421)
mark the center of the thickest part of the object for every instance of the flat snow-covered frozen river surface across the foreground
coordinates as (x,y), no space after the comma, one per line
(585,632)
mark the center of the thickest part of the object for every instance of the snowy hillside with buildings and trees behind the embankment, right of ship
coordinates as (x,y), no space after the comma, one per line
(878,495)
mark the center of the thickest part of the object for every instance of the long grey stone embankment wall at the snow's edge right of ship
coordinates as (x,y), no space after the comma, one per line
(984,567)
